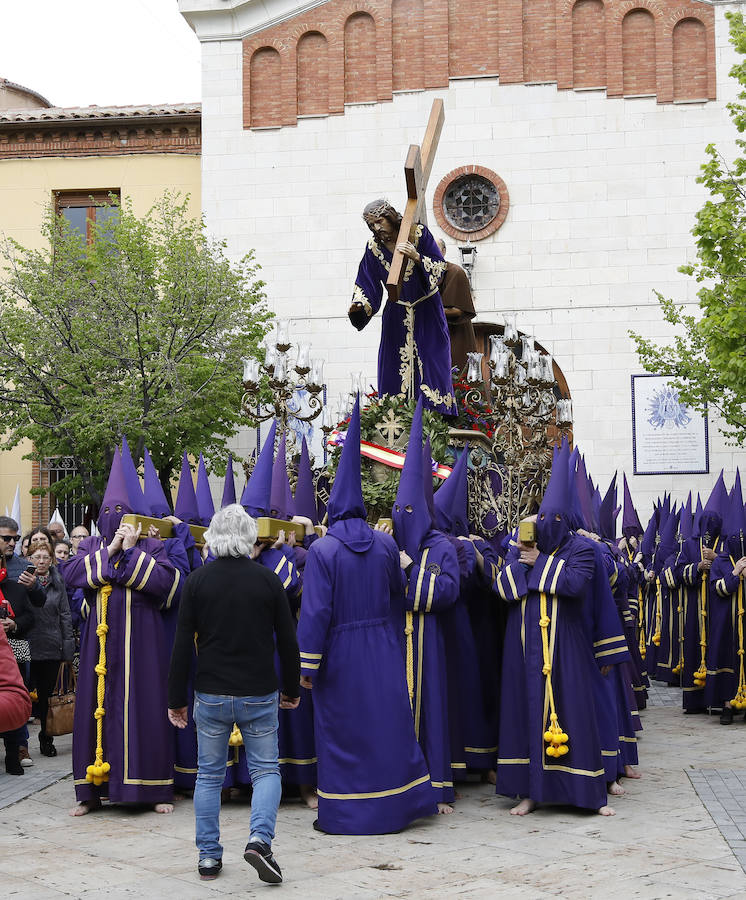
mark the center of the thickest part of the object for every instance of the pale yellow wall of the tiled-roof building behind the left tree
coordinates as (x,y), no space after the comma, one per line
(26,190)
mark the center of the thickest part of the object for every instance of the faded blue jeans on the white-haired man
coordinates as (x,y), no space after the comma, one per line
(256,718)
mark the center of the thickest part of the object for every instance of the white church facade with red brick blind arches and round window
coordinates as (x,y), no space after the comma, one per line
(585,122)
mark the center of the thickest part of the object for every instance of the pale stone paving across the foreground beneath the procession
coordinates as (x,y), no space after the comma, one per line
(663,842)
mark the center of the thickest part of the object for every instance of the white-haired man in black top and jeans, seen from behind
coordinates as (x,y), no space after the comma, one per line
(237,609)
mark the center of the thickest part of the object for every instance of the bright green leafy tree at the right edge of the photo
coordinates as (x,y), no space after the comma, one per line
(707,360)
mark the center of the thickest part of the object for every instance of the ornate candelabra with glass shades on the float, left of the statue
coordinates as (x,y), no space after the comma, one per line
(292,375)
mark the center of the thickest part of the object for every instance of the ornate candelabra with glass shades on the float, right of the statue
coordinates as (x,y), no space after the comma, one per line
(528,416)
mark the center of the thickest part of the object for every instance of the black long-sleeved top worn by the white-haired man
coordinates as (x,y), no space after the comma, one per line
(237,609)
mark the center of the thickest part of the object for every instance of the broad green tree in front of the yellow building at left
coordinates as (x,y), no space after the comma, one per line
(140,332)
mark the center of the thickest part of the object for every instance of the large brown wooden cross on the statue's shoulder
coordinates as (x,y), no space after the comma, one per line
(417,170)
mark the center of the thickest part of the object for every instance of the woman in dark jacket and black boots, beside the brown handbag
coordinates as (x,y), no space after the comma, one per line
(51,638)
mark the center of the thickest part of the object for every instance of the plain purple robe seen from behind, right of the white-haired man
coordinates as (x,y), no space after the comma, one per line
(372,776)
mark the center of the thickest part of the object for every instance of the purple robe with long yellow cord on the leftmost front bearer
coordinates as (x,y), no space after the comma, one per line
(137,740)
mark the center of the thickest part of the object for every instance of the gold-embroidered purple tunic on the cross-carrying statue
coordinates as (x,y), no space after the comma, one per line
(415,349)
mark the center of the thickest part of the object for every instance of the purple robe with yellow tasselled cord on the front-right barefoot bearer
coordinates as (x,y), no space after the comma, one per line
(523,768)
